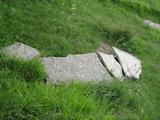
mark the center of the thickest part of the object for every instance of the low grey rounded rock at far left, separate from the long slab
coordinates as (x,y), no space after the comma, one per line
(20,50)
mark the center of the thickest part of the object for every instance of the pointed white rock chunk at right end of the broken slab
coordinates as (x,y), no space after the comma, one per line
(130,64)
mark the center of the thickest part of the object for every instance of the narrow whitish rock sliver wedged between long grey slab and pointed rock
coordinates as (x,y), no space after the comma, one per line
(111,64)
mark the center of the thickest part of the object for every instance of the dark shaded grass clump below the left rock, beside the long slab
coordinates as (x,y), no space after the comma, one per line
(29,70)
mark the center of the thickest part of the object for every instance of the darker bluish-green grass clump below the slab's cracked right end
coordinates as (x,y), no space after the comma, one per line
(117,95)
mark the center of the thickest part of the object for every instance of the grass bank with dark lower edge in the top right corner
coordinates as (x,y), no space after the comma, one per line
(146,9)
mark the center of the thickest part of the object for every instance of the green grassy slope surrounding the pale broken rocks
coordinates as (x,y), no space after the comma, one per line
(61,27)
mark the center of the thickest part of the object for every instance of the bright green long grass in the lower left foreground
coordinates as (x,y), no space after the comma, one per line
(23,100)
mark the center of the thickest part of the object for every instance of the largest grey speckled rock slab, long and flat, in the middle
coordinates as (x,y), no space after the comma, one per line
(86,67)
